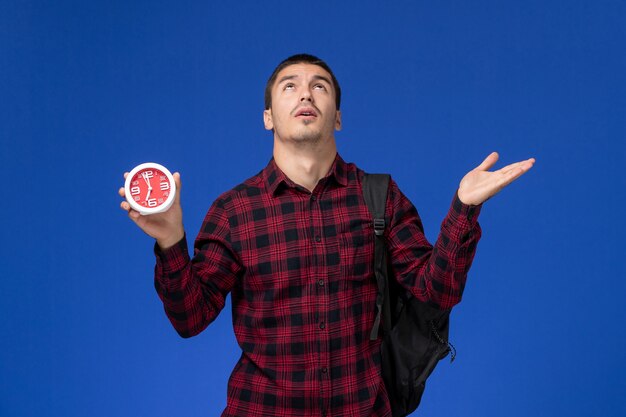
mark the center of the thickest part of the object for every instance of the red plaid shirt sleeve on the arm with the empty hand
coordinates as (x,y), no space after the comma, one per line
(434,274)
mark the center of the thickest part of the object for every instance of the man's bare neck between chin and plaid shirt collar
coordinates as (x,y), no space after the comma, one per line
(305,165)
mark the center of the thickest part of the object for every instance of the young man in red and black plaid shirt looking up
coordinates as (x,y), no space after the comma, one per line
(294,247)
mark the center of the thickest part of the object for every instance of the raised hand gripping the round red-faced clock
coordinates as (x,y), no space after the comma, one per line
(167,227)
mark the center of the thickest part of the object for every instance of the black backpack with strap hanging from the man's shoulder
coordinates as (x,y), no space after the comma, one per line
(415,335)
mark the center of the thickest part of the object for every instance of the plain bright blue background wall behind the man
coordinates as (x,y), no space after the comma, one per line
(90,89)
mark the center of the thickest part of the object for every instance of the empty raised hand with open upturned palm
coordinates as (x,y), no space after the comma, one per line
(480,184)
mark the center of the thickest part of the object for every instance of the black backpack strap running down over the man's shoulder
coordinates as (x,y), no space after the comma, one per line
(375,188)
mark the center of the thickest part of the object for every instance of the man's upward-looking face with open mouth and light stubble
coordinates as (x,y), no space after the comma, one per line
(303,105)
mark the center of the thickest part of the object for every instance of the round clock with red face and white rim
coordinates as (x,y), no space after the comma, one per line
(150,188)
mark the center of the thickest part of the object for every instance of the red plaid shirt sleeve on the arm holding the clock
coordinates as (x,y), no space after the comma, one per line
(193,291)
